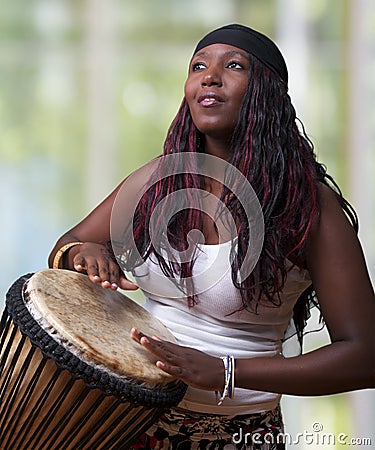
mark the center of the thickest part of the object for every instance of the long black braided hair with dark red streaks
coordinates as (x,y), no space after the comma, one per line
(270,148)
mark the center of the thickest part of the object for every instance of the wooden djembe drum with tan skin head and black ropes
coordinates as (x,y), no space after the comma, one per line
(70,376)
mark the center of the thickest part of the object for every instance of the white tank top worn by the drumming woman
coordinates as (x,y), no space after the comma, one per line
(216,324)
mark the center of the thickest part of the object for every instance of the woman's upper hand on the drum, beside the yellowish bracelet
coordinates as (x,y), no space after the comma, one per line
(100,265)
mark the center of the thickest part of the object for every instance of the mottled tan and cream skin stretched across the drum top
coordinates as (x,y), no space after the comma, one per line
(94,324)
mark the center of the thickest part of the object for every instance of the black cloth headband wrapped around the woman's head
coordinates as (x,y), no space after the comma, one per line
(253,42)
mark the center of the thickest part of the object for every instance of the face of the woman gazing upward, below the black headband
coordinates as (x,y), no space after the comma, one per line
(215,87)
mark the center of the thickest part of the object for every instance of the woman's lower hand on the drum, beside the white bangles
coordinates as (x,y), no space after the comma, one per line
(193,367)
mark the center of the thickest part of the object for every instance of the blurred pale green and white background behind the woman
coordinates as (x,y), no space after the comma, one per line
(89,88)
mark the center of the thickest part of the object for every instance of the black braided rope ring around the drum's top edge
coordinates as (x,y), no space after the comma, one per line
(162,396)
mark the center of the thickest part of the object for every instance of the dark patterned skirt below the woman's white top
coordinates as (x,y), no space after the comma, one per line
(182,430)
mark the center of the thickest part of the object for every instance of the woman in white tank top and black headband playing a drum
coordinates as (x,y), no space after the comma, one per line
(236,110)
